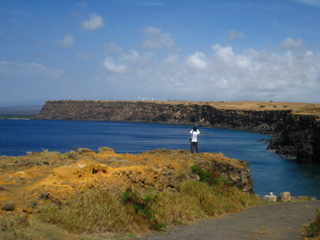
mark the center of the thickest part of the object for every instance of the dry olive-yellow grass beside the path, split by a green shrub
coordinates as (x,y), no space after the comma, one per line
(103,211)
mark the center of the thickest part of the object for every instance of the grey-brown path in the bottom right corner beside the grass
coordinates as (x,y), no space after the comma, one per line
(276,221)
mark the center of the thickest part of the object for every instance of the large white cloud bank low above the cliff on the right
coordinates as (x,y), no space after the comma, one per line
(220,74)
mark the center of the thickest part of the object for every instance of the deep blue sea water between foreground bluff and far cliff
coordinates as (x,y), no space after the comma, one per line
(269,171)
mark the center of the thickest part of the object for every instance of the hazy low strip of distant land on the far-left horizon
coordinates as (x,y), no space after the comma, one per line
(19,111)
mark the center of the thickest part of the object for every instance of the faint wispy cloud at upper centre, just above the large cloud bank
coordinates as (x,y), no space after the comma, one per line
(154,38)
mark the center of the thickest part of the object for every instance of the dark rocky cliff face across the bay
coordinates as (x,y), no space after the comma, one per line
(297,135)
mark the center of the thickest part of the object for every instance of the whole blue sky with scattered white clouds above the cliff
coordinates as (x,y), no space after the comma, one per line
(159,50)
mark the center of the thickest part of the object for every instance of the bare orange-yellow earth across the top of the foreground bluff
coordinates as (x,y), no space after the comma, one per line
(64,175)
